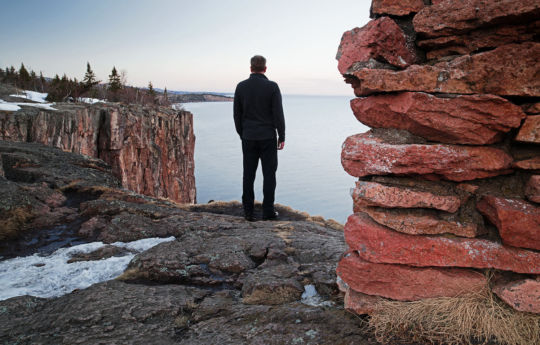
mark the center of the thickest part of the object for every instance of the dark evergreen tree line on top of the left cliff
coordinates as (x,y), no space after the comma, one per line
(64,89)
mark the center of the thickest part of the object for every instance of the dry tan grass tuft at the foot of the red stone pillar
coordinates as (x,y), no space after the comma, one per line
(468,319)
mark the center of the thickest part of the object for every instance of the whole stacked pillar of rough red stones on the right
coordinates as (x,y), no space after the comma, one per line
(449,174)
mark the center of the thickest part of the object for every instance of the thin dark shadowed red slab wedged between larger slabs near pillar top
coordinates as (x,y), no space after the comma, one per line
(487,38)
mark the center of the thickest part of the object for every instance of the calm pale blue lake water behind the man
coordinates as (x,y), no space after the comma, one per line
(309,177)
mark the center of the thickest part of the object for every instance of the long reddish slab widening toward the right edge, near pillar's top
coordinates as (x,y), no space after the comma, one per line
(509,70)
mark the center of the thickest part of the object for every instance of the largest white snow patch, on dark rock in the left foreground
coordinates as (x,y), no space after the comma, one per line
(51,276)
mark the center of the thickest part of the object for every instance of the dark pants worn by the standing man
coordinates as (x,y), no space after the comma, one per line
(266,151)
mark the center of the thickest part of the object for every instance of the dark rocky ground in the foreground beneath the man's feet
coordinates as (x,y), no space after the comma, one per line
(220,280)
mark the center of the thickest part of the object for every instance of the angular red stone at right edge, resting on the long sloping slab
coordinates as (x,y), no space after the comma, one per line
(517,220)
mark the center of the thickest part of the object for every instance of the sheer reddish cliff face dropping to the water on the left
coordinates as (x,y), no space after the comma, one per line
(150,150)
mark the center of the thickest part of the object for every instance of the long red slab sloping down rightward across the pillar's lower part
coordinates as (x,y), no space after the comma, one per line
(378,244)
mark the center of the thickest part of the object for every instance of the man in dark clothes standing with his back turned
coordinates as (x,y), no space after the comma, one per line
(258,114)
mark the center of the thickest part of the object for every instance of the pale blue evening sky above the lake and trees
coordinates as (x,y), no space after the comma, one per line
(196,45)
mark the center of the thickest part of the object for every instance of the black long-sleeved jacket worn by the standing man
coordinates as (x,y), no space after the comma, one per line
(258,111)
